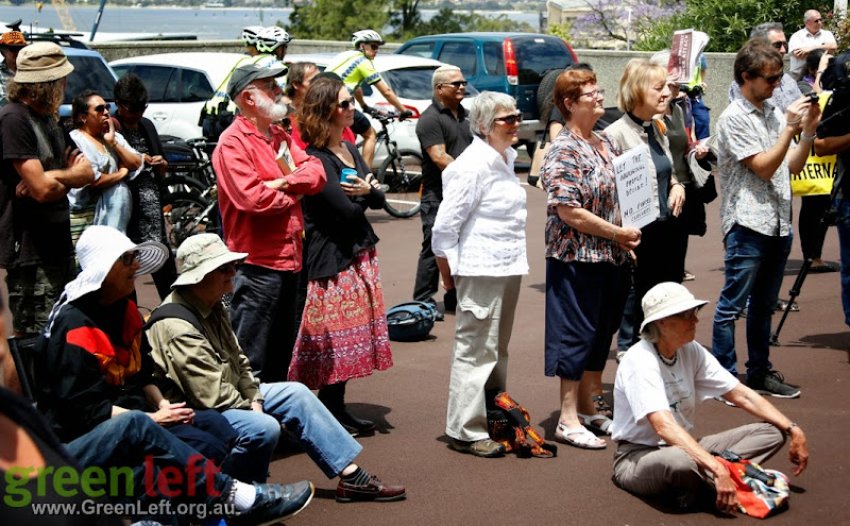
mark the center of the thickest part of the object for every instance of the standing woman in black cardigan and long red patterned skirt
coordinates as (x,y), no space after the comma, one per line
(343,332)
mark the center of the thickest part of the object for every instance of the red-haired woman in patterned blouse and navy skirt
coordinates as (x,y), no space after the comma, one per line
(586,251)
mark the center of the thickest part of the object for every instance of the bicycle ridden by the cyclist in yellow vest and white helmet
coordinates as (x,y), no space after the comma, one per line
(400,172)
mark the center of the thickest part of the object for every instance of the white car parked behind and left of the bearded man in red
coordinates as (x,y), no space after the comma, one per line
(179,84)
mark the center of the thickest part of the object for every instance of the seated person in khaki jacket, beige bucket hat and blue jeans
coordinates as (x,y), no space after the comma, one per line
(199,360)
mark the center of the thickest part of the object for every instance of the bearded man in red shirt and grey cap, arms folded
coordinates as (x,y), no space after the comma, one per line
(262,175)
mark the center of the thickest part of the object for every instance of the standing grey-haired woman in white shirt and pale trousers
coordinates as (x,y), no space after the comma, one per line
(479,240)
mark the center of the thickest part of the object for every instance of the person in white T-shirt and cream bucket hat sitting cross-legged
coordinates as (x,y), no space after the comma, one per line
(658,385)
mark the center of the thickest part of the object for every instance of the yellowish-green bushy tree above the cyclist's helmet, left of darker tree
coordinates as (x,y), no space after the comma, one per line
(337,19)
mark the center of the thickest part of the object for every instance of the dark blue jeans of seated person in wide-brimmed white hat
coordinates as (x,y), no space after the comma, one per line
(134,440)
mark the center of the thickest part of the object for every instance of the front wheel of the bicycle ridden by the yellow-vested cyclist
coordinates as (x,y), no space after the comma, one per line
(402,173)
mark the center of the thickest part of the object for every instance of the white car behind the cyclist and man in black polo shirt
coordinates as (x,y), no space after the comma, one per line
(410,79)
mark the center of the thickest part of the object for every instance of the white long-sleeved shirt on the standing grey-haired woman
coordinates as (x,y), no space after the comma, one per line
(480,227)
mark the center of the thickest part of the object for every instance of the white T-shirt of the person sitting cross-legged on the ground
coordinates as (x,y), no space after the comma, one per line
(644,385)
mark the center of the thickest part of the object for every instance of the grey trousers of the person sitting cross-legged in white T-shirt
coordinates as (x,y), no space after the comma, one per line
(668,473)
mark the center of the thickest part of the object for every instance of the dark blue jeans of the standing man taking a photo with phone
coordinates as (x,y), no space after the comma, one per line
(754,267)
